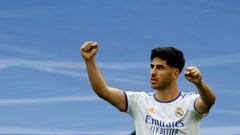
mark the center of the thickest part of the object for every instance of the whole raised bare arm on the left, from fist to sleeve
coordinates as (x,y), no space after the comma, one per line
(113,95)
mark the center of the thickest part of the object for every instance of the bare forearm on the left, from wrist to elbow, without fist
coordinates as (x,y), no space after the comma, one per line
(96,79)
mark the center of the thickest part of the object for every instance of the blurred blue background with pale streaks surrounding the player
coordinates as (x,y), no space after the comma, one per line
(43,82)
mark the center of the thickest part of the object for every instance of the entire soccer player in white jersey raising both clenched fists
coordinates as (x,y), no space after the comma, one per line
(167,110)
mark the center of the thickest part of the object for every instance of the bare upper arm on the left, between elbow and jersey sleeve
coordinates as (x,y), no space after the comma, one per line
(116,97)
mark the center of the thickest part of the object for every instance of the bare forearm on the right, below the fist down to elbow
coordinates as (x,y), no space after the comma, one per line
(206,94)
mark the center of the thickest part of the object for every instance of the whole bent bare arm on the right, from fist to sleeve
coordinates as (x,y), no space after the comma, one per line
(207,98)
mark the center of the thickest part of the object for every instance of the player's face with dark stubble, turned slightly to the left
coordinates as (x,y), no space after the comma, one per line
(161,75)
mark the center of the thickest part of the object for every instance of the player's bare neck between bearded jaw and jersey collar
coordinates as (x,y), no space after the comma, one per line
(168,93)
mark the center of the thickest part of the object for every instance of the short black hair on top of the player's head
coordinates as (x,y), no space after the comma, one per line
(173,56)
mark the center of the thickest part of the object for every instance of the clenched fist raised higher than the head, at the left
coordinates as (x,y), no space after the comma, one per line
(89,49)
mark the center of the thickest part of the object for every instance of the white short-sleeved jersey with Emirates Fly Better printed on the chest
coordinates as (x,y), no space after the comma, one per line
(154,117)
